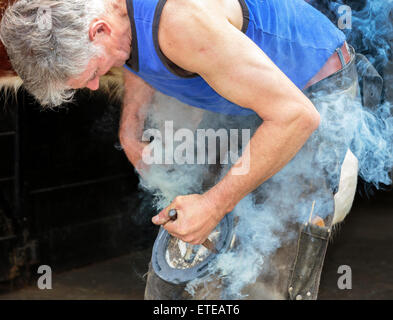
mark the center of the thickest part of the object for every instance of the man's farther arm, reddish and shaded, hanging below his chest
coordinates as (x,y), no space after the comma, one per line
(137,95)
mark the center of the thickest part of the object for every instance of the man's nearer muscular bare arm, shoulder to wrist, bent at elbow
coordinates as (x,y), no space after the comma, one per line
(200,39)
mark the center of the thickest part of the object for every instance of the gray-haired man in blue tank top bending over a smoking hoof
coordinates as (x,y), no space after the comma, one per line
(236,57)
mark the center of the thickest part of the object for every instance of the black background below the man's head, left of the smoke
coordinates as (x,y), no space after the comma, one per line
(68,195)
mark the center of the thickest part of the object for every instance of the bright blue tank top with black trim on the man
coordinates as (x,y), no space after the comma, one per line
(297,38)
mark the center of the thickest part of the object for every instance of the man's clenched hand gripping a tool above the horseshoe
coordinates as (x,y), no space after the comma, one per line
(197,217)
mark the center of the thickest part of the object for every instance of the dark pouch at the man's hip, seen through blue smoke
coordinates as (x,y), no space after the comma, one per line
(370,82)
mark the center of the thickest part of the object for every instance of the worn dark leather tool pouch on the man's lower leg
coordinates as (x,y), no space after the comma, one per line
(306,272)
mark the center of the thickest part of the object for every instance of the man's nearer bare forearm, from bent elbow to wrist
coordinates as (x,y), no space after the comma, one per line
(270,149)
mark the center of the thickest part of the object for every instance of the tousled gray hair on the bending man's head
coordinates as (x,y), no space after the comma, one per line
(48,43)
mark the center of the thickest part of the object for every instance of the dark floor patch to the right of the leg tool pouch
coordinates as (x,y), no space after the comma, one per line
(365,243)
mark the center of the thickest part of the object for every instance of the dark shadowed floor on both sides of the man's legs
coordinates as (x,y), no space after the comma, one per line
(364,242)
